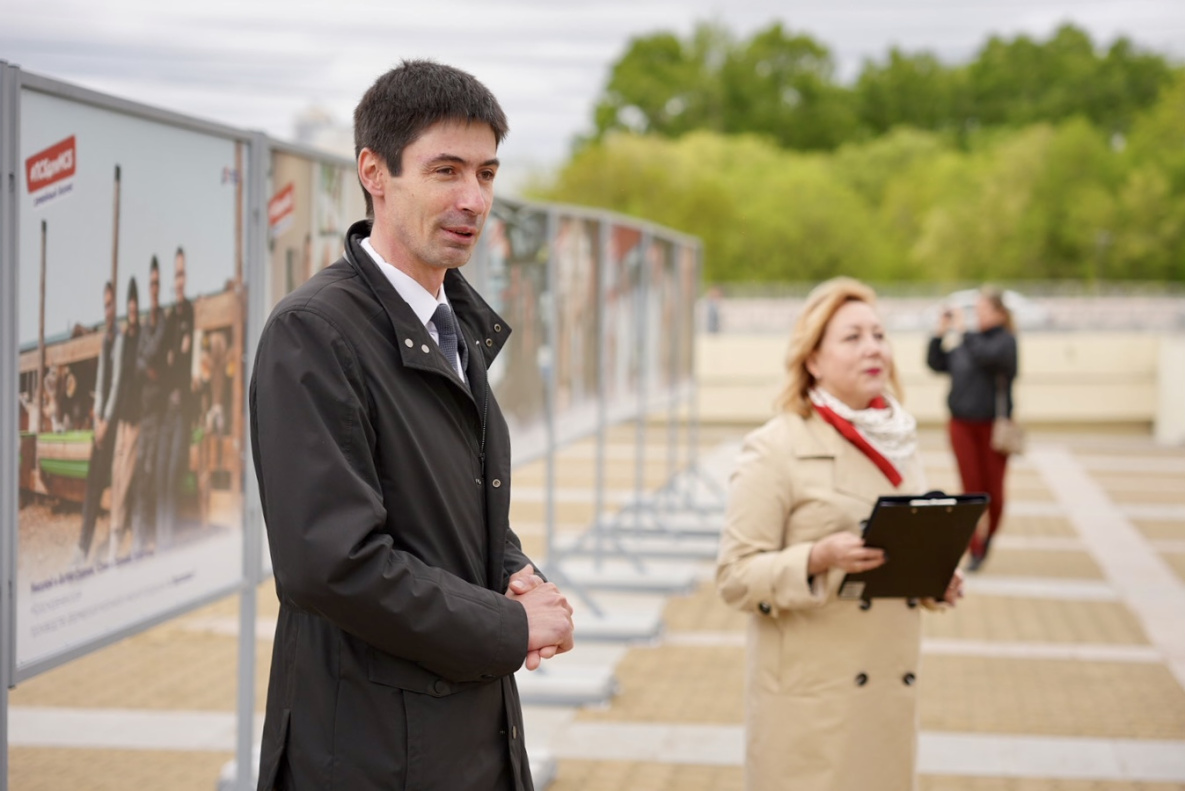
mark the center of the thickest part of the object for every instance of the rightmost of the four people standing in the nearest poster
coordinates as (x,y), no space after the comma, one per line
(174,446)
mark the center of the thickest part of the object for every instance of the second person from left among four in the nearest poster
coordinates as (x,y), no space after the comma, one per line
(127,422)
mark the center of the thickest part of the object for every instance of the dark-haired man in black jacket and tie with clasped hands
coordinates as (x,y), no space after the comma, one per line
(406,601)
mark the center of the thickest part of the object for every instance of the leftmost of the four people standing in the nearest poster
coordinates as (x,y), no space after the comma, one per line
(99,471)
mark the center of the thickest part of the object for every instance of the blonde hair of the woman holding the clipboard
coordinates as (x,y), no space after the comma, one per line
(824,301)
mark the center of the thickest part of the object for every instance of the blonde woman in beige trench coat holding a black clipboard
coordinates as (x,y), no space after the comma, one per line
(831,685)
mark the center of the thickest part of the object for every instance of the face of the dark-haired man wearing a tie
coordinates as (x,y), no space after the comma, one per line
(434,213)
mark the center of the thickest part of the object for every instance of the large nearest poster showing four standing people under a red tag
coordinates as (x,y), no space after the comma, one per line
(131,474)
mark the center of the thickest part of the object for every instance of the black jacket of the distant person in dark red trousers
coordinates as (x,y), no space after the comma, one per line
(975,368)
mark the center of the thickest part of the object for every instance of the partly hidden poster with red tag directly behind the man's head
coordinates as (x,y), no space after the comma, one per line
(311,205)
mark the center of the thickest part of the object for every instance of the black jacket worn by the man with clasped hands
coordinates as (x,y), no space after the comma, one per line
(386,492)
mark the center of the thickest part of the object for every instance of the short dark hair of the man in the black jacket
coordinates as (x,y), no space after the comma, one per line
(412,98)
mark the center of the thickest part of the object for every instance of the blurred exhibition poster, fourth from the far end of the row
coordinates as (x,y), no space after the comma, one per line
(578,326)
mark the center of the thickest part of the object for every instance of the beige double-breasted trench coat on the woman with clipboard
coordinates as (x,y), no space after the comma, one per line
(830,685)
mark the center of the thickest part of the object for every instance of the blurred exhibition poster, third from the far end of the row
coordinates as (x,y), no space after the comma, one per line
(622,294)
